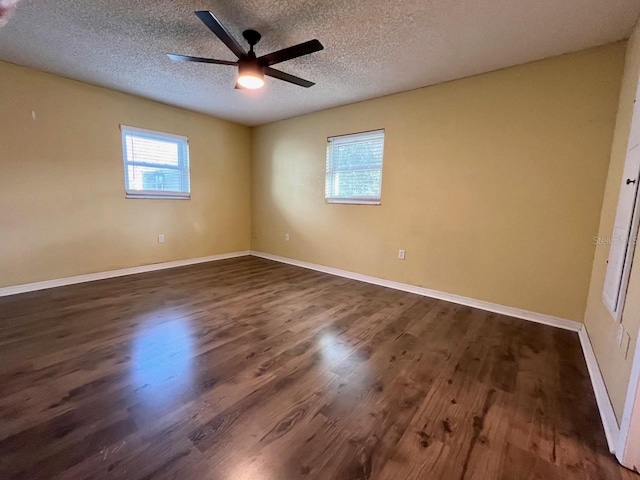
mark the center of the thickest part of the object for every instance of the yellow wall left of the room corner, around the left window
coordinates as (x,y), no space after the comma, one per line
(62,205)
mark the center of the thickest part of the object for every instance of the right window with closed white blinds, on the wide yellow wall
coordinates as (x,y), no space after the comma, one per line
(354,168)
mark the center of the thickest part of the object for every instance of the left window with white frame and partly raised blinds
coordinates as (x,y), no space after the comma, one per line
(156,165)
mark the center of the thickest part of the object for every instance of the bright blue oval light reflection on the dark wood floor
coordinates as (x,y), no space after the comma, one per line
(162,360)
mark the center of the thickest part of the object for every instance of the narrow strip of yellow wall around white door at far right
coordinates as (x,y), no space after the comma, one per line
(600,325)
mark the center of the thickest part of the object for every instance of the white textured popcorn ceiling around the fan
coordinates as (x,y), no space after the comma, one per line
(372,48)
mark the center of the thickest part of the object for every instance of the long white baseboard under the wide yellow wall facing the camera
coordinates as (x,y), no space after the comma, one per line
(426,292)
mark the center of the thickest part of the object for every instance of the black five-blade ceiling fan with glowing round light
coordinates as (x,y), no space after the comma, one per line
(252,69)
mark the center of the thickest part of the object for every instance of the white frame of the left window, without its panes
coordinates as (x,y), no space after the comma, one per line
(183,167)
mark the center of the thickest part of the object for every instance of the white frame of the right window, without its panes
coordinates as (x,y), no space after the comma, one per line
(330,171)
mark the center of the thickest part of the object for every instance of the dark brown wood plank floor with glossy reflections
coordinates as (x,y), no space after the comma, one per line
(250,369)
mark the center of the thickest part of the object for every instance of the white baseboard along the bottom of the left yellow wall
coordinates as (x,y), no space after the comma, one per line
(59,282)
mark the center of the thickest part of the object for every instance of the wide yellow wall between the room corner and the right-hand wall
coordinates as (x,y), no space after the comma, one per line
(493,184)
